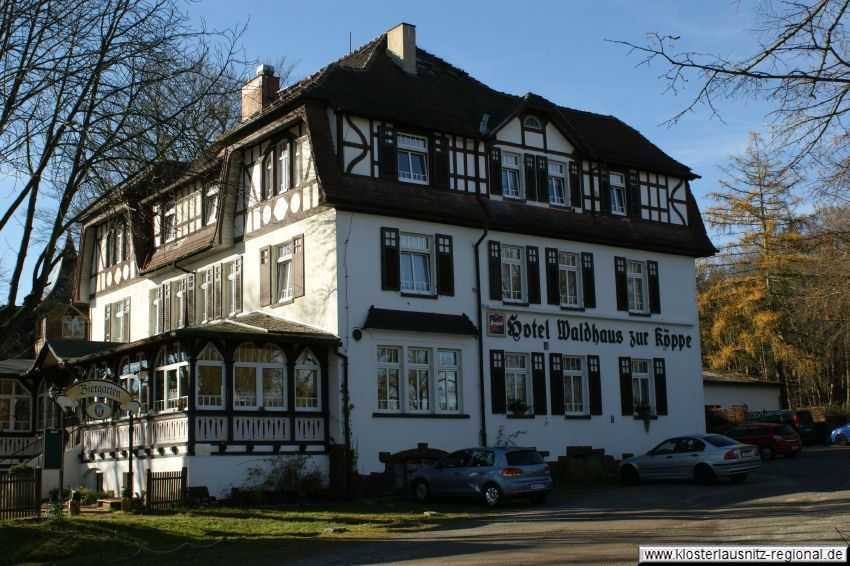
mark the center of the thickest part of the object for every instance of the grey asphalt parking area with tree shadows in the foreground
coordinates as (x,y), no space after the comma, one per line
(790,502)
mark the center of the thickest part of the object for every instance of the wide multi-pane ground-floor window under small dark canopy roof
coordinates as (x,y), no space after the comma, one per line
(432,382)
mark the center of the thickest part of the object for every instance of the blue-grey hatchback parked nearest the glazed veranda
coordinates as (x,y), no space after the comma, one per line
(492,474)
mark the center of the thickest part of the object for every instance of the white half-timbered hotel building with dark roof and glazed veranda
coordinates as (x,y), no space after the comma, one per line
(391,253)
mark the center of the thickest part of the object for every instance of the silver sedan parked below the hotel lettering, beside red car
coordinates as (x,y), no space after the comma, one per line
(701,457)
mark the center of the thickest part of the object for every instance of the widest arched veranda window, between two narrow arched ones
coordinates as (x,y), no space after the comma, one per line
(259,377)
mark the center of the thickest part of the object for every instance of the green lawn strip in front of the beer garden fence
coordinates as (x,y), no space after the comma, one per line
(232,535)
